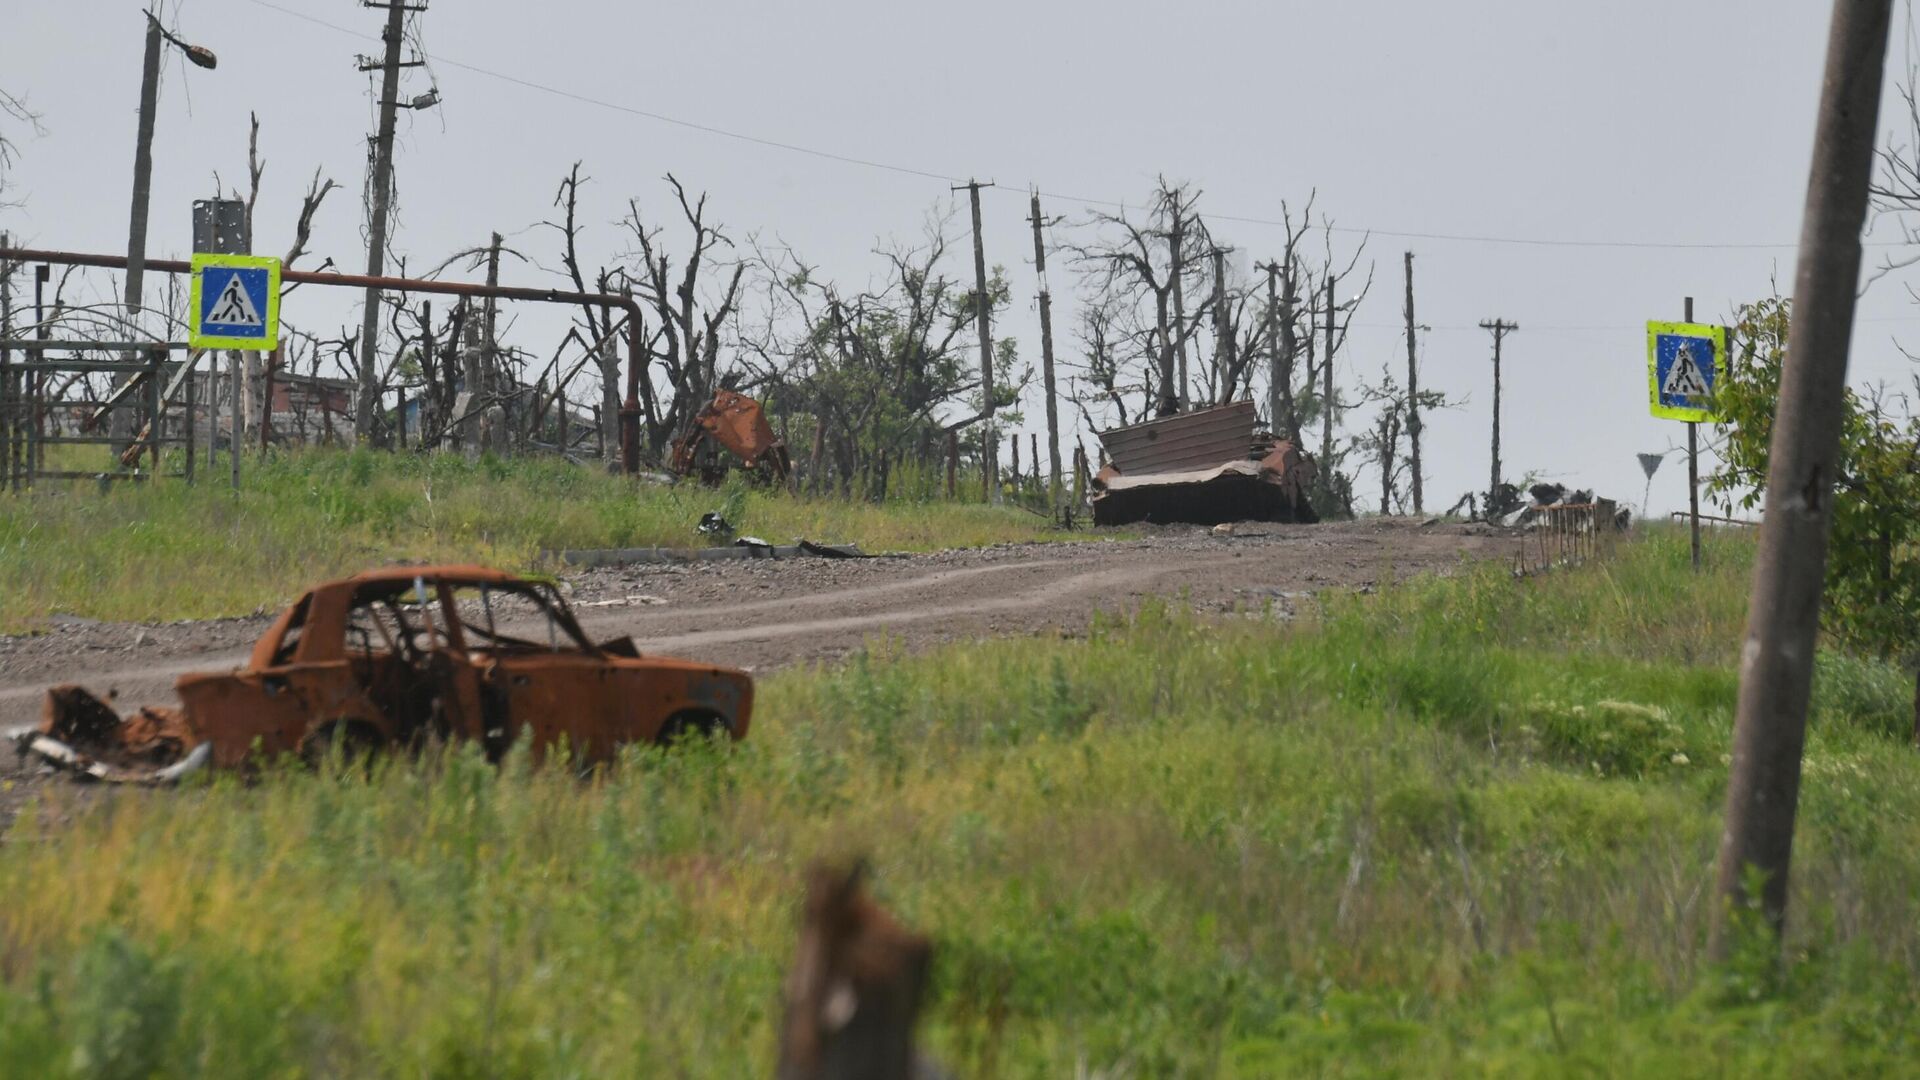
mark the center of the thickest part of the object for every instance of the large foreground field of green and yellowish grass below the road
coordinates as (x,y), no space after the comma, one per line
(1462,827)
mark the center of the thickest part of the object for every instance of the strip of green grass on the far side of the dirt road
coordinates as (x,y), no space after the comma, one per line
(189,552)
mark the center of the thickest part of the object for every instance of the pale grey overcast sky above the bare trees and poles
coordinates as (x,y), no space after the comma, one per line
(1568,126)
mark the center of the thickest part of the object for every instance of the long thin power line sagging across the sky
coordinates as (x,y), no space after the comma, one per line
(1084,201)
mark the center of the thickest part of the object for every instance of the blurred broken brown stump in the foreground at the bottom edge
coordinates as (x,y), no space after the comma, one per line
(855,987)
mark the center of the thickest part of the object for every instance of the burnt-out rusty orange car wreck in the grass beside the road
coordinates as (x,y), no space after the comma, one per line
(398,658)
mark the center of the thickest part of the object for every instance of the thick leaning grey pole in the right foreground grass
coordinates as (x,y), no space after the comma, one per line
(1790,568)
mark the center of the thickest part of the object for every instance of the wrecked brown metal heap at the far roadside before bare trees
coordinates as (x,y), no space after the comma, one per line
(1203,468)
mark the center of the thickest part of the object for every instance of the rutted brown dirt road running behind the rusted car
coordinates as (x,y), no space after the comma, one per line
(769,614)
